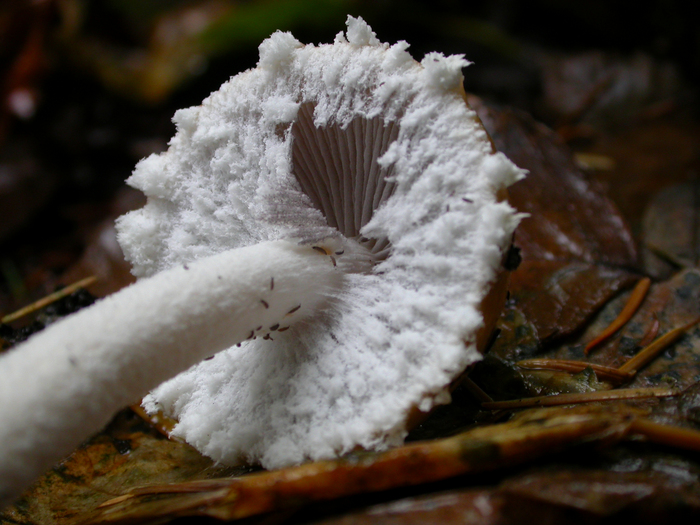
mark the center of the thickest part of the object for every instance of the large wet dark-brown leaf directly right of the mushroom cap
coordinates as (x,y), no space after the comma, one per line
(577,249)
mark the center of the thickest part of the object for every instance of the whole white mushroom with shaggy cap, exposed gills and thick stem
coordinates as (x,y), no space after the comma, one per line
(332,223)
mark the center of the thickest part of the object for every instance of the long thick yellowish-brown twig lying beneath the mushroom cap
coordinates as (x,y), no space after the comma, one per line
(533,435)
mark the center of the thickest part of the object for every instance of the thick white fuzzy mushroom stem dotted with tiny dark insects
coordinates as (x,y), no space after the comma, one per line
(65,383)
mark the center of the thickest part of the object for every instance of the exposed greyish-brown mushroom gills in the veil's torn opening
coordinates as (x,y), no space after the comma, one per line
(337,168)
